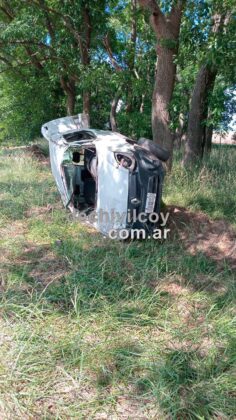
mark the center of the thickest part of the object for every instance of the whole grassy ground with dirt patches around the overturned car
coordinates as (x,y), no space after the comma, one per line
(92,328)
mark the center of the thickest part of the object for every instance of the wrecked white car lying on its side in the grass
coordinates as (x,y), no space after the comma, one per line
(113,180)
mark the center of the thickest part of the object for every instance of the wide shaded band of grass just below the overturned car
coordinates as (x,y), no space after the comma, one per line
(86,276)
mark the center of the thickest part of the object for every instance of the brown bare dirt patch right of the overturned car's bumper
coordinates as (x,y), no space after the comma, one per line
(216,239)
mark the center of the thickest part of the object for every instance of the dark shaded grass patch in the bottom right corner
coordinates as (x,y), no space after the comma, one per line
(188,386)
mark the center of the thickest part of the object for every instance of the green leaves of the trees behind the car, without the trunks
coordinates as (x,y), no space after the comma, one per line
(37,48)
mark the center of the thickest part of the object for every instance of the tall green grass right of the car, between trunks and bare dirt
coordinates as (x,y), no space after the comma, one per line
(209,187)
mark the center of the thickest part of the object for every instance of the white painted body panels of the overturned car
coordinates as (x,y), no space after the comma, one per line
(112,178)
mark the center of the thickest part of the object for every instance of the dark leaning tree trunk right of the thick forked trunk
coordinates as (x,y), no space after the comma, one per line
(198,111)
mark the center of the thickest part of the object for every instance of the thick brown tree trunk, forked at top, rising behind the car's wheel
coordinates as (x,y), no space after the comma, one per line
(166,28)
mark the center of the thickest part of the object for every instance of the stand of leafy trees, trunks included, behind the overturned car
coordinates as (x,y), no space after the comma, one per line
(117,61)
